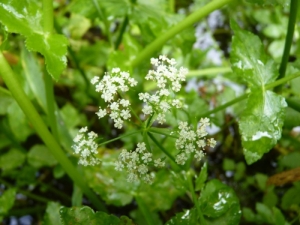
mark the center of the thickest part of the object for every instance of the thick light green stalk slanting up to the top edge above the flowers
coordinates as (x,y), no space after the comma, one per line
(187,22)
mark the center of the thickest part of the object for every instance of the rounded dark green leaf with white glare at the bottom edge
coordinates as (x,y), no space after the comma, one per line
(219,204)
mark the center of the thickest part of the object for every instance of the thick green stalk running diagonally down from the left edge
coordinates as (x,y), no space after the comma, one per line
(41,129)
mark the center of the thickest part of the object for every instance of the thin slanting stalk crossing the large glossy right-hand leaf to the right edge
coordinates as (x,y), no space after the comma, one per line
(244,96)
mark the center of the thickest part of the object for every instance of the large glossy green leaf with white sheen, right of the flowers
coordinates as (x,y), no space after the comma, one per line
(261,122)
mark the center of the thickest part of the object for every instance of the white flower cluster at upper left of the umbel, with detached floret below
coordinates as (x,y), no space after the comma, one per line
(110,87)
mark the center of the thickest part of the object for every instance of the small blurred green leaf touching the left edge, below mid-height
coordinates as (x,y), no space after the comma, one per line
(12,159)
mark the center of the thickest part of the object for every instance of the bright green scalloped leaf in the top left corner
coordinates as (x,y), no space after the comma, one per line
(25,17)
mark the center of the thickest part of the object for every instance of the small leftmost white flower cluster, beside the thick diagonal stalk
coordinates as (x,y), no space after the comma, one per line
(86,147)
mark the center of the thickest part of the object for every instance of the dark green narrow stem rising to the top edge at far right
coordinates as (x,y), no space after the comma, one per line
(288,40)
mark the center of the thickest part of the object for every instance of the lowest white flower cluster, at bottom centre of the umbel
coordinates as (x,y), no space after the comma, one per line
(136,163)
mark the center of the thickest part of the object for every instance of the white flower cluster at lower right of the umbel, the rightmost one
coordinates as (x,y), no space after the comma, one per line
(192,142)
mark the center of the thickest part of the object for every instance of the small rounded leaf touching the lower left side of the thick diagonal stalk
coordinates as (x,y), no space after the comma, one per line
(39,156)
